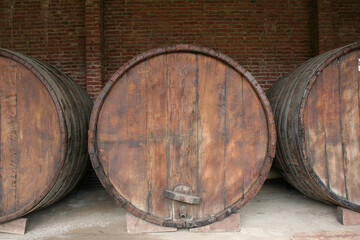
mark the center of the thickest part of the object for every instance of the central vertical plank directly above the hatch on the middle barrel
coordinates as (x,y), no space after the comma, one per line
(182,119)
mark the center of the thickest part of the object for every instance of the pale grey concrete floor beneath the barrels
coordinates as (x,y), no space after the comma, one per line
(277,212)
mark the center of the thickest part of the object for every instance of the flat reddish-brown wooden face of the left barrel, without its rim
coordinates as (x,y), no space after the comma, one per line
(30,136)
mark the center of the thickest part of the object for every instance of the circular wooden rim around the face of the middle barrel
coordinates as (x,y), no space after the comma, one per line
(127,205)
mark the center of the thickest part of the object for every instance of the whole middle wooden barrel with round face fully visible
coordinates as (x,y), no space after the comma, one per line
(182,136)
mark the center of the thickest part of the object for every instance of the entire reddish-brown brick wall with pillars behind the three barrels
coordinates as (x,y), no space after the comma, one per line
(90,39)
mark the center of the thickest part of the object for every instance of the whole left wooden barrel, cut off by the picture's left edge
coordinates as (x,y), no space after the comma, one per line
(43,131)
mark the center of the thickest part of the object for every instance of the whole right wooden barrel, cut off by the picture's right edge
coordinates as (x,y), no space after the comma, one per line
(316,108)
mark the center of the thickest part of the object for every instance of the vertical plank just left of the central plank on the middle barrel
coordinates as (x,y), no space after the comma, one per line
(157,127)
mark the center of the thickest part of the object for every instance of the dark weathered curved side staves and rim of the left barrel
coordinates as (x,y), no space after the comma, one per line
(61,95)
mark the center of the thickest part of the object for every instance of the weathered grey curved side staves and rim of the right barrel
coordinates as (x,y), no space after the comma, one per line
(309,71)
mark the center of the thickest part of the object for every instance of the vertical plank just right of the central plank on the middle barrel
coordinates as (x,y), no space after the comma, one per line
(212,96)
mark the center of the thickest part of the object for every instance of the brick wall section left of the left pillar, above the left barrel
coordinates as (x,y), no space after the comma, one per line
(52,30)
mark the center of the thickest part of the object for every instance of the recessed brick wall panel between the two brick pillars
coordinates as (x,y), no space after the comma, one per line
(266,38)
